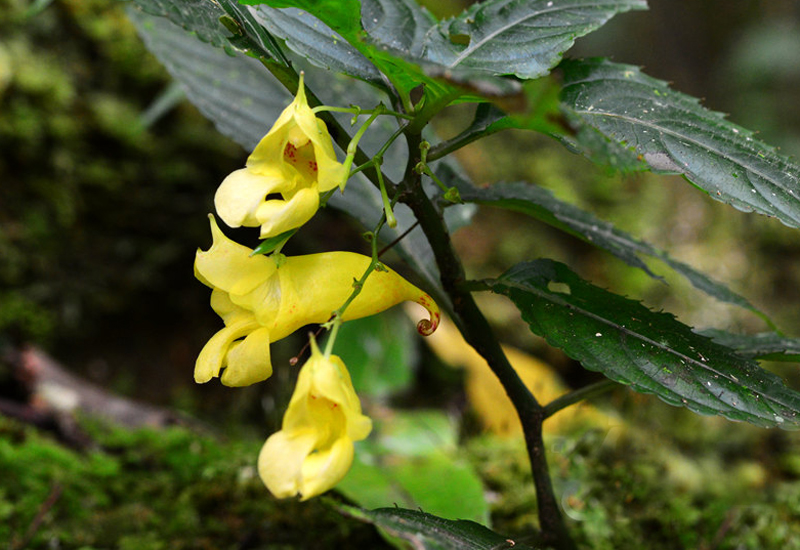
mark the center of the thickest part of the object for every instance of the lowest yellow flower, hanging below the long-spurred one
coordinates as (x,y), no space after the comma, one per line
(314,449)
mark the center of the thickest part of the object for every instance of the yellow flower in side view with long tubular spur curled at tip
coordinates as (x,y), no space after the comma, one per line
(261,303)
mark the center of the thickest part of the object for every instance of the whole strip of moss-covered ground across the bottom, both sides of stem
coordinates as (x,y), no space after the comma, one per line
(708,484)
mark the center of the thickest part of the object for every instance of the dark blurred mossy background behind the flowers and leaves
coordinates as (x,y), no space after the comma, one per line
(107,174)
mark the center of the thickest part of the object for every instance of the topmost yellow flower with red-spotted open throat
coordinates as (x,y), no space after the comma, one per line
(294,160)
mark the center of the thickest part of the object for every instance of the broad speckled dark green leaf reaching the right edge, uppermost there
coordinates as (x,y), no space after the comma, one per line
(674,134)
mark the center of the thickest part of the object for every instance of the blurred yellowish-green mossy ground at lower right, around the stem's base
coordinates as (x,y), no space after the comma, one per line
(669,479)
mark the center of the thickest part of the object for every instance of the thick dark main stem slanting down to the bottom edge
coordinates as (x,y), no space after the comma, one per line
(478,333)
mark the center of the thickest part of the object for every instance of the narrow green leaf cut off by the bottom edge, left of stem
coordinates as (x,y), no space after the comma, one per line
(429,532)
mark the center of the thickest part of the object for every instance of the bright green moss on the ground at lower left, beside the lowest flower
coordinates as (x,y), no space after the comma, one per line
(155,489)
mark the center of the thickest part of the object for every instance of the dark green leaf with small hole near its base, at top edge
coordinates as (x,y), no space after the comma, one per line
(525,38)
